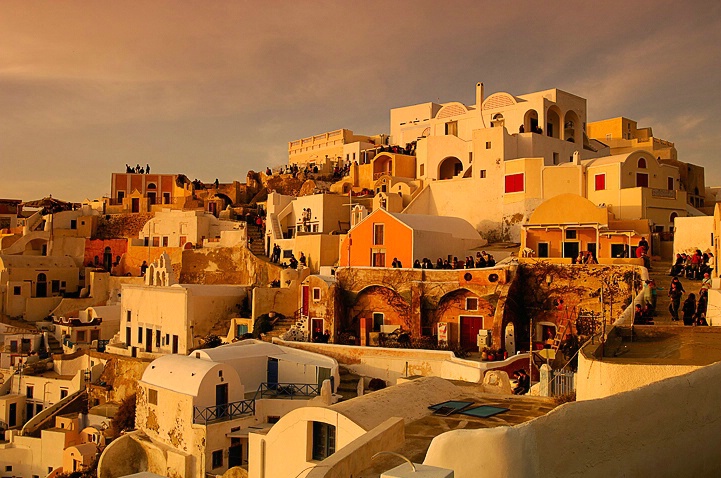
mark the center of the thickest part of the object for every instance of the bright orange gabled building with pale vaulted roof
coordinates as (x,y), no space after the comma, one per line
(382,236)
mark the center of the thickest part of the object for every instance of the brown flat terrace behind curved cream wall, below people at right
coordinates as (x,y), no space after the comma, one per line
(665,345)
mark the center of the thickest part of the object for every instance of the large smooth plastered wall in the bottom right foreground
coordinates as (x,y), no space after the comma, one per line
(666,429)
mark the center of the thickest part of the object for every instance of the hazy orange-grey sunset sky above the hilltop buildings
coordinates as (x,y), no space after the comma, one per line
(213,89)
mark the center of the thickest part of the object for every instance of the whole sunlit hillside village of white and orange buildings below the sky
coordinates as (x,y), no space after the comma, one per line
(473,278)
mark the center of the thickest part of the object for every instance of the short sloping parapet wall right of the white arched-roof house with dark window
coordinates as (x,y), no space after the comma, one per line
(356,456)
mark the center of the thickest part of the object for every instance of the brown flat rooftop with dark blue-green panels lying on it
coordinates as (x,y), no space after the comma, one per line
(419,433)
